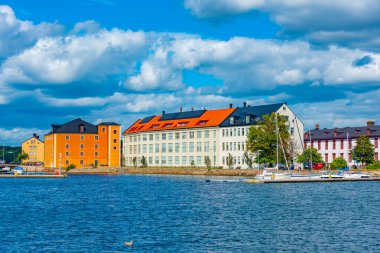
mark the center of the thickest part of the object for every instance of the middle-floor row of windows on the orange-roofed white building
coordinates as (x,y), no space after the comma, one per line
(172,147)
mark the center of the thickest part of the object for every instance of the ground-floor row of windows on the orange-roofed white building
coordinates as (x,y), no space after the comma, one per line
(173,160)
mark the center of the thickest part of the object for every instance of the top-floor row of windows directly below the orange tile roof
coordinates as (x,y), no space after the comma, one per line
(171,136)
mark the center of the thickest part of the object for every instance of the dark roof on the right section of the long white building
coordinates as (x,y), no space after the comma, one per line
(256,113)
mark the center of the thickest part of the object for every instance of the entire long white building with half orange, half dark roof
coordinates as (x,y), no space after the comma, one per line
(185,138)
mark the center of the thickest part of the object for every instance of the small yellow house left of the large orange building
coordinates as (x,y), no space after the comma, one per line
(35,148)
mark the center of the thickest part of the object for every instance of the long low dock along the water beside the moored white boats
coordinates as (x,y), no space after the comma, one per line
(313,180)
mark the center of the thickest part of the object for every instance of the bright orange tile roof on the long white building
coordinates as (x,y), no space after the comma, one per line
(209,118)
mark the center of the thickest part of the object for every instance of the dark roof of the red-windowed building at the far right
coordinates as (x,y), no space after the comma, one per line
(341,133)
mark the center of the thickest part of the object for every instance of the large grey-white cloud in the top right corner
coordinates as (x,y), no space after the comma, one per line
(348,23)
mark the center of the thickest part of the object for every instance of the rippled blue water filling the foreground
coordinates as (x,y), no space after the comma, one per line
(186,214)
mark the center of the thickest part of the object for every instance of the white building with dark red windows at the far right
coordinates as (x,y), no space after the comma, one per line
(337,142)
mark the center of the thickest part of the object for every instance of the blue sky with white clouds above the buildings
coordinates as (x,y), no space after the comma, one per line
(120,60)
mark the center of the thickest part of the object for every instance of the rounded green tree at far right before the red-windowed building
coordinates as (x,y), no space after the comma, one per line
(364,150)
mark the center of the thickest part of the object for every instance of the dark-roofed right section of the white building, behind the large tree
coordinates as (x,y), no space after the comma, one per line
(233,131)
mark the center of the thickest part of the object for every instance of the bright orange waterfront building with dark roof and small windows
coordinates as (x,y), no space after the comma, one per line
(83,144)
